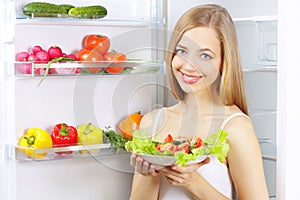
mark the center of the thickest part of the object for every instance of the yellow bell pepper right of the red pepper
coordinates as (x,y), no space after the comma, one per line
(89,134)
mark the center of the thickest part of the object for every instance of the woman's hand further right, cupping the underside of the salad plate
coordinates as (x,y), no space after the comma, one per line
(182,176)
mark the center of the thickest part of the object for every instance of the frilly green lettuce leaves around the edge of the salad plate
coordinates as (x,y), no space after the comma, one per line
(216,144)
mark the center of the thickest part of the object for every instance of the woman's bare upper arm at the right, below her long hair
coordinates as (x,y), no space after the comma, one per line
(245,160)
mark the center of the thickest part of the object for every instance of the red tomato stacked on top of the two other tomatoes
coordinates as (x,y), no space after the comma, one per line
(99,42)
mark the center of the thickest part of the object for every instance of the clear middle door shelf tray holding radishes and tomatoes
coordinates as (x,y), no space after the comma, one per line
(84,68)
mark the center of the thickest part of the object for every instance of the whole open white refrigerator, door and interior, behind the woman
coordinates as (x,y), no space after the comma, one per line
(139,28)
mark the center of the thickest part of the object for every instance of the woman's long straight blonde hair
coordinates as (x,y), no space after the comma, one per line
(231,87)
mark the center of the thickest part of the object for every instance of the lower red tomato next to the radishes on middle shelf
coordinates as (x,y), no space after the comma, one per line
(90,55)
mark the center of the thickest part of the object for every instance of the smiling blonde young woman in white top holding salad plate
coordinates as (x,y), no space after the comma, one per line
(206,78)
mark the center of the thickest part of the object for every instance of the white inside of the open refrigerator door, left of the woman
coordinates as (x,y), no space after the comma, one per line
(103,100)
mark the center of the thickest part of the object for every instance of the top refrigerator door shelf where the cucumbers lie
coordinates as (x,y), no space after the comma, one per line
(146,11)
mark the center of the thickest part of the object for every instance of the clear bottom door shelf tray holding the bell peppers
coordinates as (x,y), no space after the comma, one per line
(58,153)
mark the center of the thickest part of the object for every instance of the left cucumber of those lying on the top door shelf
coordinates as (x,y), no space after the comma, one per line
(43,9)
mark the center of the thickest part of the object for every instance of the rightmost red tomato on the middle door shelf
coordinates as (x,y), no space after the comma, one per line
(114,57)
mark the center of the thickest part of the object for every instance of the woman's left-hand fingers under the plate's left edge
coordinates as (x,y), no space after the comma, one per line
(143,167)
